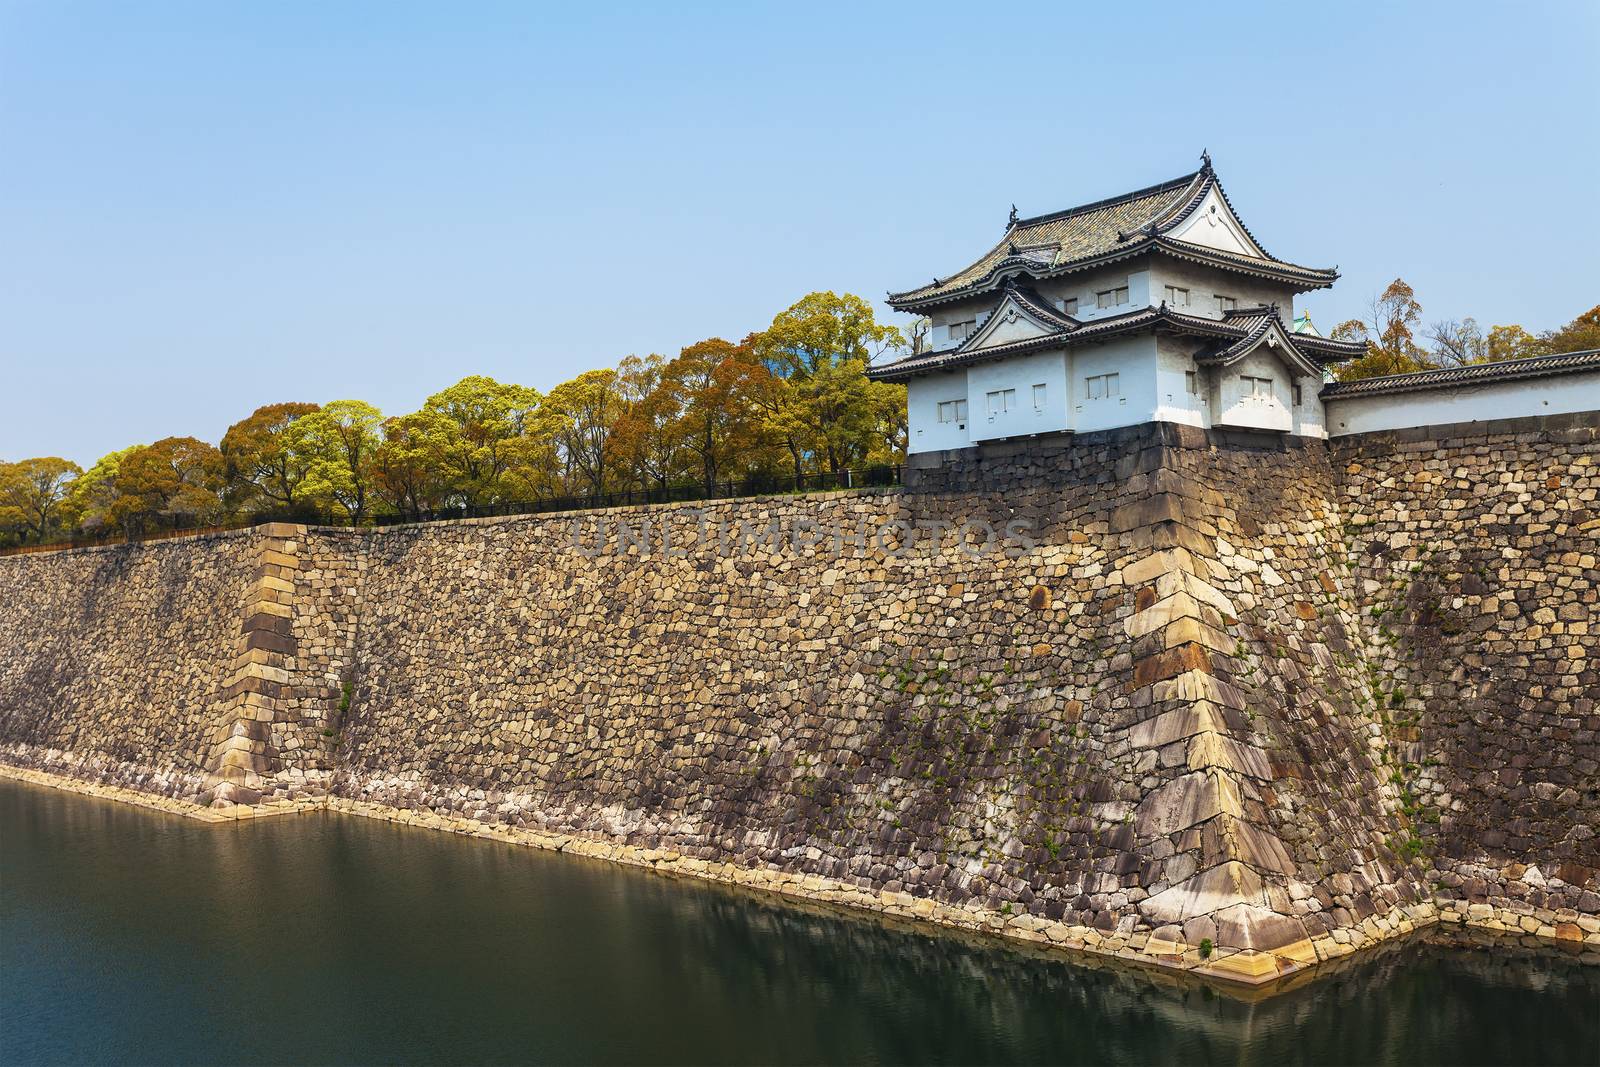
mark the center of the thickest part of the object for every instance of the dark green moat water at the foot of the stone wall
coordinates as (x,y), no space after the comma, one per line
(132,937)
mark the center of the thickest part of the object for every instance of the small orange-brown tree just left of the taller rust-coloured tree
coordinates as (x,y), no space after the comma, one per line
(174,478)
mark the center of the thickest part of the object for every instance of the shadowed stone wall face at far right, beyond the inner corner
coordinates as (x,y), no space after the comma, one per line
(1476,554)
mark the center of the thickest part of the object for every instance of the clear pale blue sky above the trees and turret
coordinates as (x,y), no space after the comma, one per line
(207,207)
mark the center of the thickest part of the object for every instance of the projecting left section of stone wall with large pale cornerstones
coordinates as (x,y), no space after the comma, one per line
(170,668)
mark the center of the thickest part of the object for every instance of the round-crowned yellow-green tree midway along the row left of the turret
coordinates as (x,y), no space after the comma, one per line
(476,433)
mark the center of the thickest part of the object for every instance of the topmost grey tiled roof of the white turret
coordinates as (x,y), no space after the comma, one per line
(1103,231)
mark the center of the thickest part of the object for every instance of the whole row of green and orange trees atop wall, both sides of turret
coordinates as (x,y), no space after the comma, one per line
(786,402)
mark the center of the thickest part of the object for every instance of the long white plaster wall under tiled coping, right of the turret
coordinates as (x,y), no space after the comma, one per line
(1503,401)
